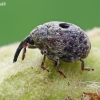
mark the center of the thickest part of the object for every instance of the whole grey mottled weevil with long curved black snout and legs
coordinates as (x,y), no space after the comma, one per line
(57,41)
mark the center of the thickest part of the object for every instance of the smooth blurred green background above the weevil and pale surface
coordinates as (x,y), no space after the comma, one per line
(19,17)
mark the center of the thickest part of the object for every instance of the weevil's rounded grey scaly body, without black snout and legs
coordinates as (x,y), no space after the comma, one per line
(69,43)
